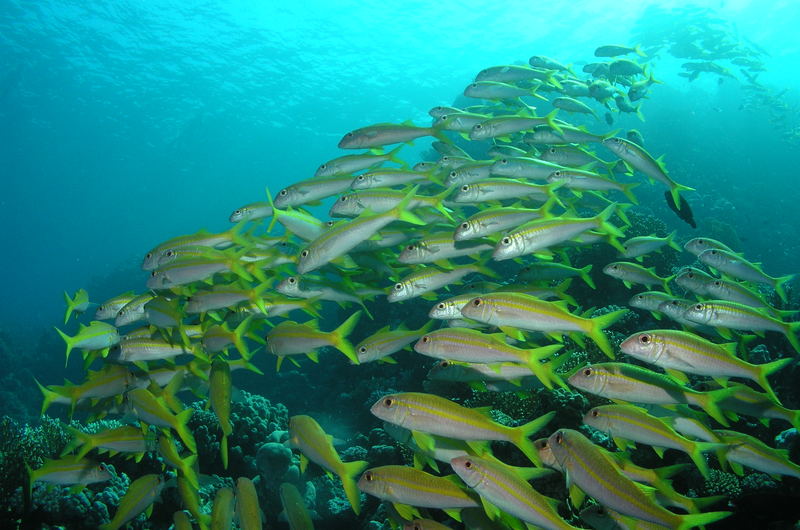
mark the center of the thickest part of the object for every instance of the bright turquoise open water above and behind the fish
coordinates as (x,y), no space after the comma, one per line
(123,124)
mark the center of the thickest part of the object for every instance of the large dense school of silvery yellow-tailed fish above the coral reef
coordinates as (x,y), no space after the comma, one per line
(481,242)
